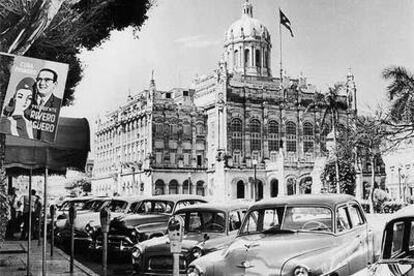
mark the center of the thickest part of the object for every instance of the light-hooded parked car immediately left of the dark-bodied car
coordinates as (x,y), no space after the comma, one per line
(87,223)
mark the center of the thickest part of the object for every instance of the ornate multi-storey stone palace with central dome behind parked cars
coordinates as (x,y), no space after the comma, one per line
(239,133)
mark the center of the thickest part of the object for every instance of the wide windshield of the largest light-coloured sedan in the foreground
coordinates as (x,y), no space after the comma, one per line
(287,219)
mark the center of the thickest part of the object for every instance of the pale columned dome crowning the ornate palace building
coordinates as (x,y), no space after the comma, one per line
(247,45)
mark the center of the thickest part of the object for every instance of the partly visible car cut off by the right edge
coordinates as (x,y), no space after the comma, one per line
(397,251)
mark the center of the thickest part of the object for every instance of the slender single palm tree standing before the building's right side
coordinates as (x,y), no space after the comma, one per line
(330,104)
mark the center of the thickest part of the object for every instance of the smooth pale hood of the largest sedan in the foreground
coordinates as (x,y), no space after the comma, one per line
(268,252)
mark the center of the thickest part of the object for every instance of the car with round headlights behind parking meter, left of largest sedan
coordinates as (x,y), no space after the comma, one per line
(207,228)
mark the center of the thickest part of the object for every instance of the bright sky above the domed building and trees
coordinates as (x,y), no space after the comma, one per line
(183,38)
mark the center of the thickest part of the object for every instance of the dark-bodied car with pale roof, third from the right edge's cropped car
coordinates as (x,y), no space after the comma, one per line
(148,221)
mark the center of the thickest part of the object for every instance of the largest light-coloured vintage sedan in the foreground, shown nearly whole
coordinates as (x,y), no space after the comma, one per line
(302,235)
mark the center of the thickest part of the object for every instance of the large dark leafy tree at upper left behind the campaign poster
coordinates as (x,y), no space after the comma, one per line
(57,30)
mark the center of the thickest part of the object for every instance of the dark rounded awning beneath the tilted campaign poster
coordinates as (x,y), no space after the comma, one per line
(70,150)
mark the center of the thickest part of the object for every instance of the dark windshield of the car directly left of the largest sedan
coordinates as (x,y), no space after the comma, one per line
(204,221)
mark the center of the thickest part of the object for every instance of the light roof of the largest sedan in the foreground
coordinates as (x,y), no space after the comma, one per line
(329,200)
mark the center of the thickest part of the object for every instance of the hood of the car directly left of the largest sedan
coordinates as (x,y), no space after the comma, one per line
(162,244)
